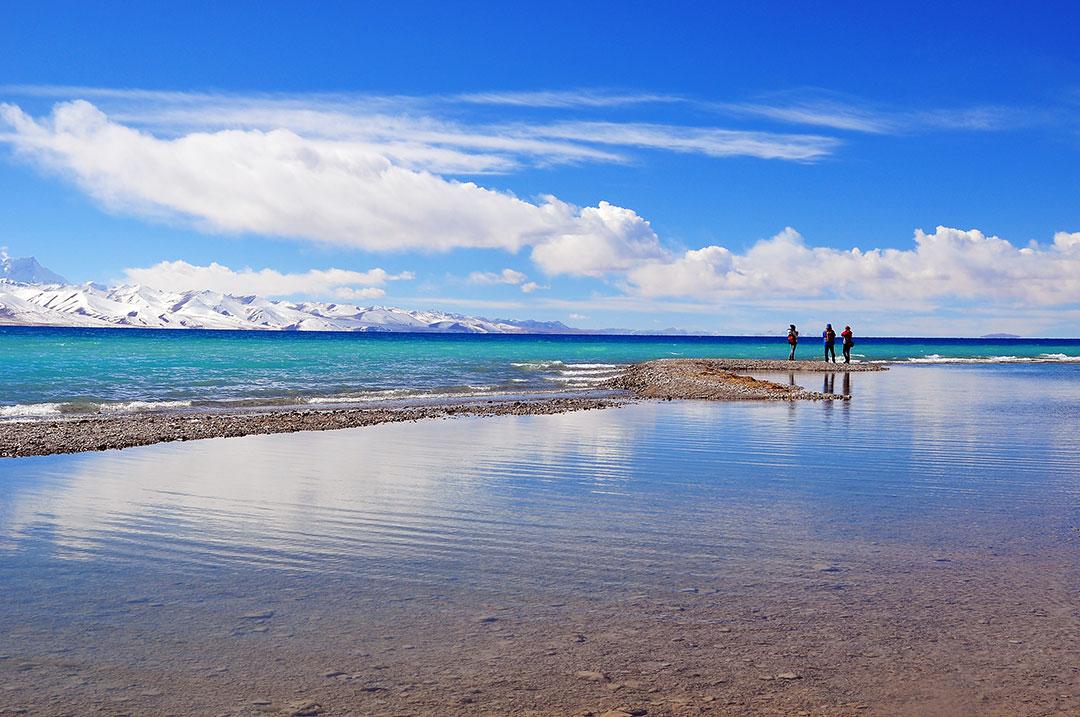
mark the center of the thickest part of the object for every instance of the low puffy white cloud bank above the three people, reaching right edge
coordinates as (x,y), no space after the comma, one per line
(954,264)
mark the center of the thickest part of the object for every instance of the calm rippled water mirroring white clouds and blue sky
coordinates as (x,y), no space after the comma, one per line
(632,497)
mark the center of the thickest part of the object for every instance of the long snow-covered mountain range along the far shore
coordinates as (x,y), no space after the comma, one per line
(93,305)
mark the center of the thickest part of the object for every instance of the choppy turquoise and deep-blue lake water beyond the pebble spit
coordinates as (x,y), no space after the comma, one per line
(58,371)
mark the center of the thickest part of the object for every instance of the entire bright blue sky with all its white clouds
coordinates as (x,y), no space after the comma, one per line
(906,169)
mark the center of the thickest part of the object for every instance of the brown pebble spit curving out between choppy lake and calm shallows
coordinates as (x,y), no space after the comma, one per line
(705,380)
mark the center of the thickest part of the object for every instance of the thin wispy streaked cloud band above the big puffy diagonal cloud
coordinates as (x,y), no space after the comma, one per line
(435,133)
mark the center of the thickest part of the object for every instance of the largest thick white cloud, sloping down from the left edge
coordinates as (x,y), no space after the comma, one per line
(280,184)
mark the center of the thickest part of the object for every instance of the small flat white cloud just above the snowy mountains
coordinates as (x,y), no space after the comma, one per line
(181,277)
